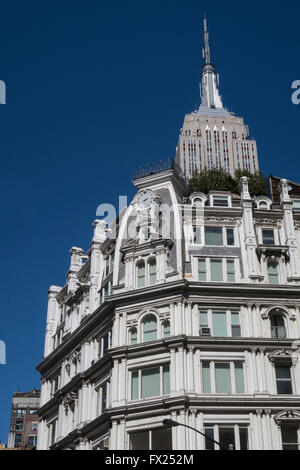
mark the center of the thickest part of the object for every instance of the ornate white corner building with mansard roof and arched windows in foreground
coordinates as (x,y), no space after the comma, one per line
(187,308)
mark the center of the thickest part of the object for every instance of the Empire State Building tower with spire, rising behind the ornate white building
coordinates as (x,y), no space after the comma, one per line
(213,137)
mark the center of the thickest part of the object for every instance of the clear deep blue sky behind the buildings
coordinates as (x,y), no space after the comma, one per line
(97,89)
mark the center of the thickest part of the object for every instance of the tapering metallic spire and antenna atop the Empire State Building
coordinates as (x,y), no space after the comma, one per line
(210,97)
